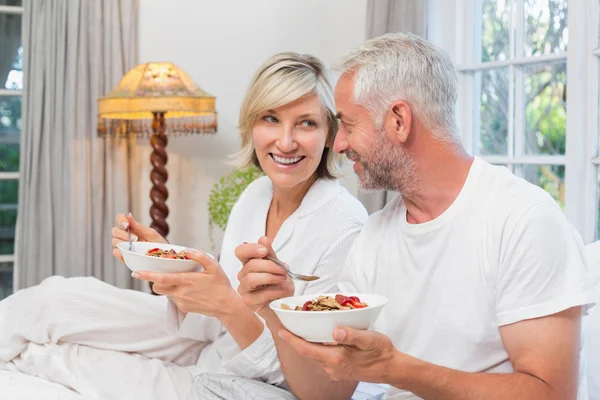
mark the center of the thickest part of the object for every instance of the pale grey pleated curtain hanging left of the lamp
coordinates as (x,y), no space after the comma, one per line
(72,182)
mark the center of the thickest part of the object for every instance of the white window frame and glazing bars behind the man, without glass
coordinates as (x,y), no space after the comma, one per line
(459,31)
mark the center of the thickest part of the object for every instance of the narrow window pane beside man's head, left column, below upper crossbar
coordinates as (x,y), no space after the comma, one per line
(493,119)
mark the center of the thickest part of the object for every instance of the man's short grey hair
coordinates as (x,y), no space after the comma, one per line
(405,67)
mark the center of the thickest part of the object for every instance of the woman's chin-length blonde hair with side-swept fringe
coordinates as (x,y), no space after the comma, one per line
(282,79)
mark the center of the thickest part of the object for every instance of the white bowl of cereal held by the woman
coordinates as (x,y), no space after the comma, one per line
(137,260)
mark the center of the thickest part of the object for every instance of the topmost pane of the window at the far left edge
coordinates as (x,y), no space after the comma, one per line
(11,52)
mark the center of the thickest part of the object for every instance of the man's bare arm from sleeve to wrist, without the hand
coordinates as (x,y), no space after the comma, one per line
(544,353)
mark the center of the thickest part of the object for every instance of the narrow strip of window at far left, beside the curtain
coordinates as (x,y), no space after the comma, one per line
(11,85)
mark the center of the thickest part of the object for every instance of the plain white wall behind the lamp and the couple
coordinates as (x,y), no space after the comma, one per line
(221,43)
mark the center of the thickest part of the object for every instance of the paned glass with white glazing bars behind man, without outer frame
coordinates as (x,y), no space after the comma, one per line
(517,77)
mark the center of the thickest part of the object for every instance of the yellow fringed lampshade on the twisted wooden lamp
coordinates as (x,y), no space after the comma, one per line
(156,87)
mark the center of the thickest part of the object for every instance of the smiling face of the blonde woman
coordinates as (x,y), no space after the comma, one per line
(289,141)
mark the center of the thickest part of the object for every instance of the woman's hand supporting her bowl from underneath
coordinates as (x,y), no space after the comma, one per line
(208,292)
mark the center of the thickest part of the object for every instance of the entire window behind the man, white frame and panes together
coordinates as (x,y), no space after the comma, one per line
(525,99)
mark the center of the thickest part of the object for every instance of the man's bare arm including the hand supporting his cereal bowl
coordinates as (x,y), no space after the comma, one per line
(544,353)
